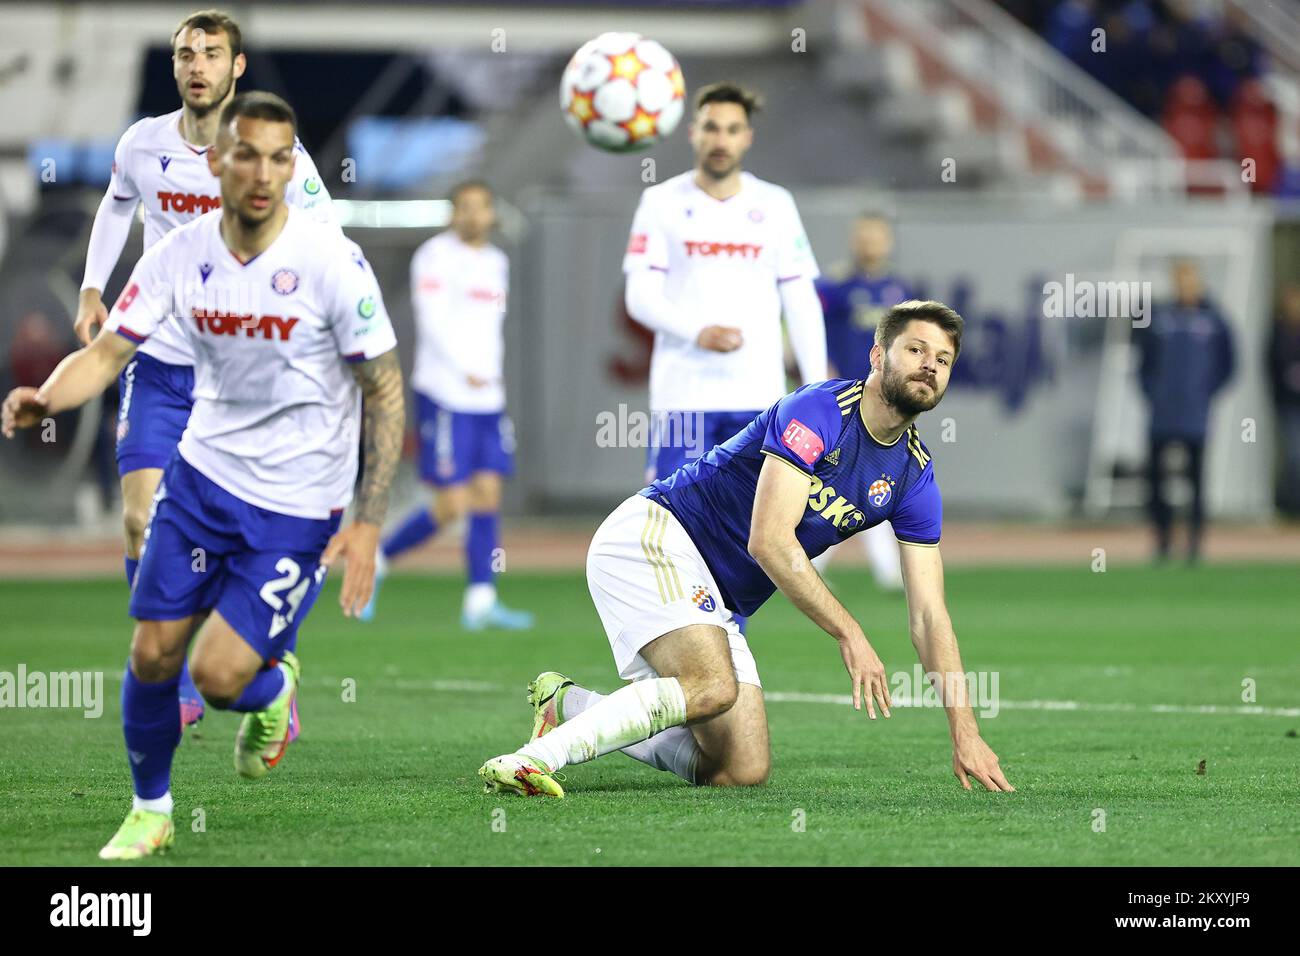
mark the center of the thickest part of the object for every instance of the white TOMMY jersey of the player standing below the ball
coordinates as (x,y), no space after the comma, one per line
(725,261)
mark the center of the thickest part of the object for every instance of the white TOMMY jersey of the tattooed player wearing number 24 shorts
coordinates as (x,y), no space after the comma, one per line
(276,409)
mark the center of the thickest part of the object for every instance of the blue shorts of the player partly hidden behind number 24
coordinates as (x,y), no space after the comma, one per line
(154,410)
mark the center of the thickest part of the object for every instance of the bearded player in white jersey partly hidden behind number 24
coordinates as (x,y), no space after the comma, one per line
(162,163)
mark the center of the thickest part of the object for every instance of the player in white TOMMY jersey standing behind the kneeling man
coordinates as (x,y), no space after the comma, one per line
(716,257)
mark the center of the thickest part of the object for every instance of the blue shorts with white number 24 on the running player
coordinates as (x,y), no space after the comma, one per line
(207,550)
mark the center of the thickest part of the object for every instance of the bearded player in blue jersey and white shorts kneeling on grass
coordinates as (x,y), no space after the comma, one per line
(671,568)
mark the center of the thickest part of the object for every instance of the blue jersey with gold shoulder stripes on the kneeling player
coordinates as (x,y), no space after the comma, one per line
(857,483)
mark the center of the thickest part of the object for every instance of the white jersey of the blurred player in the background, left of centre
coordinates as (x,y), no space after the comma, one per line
(460,297)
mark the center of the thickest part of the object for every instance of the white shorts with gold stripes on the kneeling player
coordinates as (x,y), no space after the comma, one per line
(648,579)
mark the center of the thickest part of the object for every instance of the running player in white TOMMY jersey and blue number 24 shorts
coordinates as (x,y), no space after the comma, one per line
(246,520)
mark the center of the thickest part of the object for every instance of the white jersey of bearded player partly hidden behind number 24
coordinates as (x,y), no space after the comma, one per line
(155,166)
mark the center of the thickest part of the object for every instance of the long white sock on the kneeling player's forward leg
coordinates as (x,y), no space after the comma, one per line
(626,717)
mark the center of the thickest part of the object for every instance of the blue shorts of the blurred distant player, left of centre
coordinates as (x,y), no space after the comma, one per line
(457,444)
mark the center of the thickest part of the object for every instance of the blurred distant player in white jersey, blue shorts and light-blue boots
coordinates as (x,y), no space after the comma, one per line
(460,283)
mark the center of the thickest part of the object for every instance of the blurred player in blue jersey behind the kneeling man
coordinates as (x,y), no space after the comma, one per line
(855,297)
